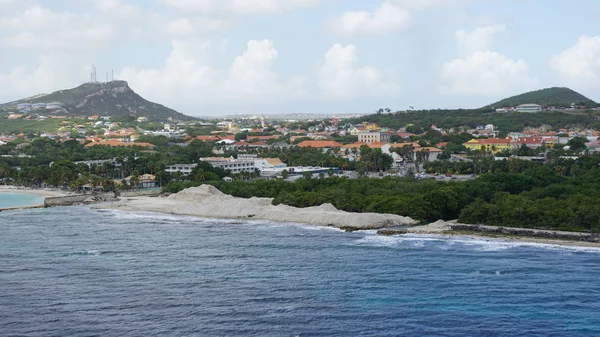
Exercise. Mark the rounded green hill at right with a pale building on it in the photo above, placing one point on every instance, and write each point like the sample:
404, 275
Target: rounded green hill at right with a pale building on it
559, 97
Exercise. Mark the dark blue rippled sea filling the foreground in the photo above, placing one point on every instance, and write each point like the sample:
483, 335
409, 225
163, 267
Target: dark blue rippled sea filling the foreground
80, 272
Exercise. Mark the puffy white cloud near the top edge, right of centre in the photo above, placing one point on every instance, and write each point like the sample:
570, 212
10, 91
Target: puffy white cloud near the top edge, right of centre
384, 19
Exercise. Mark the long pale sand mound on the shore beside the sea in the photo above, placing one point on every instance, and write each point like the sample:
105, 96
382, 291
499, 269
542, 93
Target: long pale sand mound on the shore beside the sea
207, 201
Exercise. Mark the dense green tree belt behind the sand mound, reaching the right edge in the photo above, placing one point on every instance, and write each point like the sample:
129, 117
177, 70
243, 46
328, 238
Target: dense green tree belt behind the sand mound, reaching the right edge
560, 195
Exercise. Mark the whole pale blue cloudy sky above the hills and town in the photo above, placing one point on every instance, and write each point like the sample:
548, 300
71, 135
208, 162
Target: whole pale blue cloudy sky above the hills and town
223, 57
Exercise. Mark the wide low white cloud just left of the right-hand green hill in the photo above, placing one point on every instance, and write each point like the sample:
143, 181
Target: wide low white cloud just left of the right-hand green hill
486, 73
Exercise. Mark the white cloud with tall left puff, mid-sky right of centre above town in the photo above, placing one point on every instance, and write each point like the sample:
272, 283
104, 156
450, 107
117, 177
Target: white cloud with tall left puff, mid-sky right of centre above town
340, 77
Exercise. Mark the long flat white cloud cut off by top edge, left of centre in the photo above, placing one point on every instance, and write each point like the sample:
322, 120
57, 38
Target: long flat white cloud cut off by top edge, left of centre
238, 7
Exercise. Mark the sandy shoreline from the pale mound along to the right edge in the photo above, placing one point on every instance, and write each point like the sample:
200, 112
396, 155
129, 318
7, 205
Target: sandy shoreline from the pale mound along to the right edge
208, 202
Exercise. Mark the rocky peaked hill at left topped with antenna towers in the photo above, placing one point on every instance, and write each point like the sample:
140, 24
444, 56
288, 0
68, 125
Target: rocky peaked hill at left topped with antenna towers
113, 98
